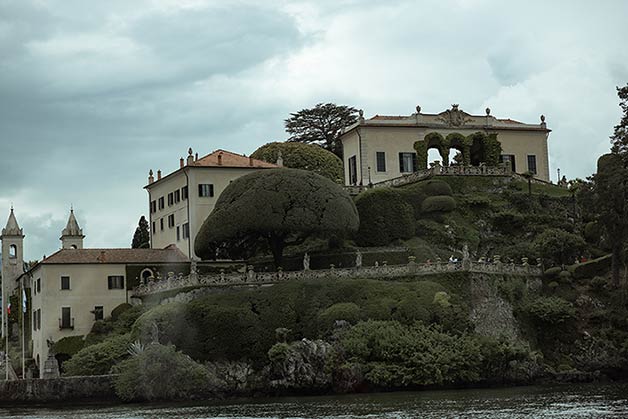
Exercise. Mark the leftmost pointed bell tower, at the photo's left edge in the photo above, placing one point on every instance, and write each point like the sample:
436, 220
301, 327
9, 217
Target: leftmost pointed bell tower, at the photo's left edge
12, 255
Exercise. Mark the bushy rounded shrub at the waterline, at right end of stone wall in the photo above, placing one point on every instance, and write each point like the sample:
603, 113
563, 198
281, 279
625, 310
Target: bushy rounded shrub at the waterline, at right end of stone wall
161, 373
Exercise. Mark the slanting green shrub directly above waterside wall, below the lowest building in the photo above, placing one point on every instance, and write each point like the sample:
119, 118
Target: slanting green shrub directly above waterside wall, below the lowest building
98, 359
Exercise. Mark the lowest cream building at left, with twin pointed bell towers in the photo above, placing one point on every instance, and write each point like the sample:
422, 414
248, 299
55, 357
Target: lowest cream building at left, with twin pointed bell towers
74, 287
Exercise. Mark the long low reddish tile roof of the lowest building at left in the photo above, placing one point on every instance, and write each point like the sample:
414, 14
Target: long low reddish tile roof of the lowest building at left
170, 254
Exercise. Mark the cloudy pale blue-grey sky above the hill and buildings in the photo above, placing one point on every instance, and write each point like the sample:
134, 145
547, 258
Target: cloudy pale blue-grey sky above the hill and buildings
93, 94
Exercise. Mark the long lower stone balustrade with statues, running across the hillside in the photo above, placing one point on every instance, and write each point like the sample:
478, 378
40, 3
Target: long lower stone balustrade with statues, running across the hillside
382, 272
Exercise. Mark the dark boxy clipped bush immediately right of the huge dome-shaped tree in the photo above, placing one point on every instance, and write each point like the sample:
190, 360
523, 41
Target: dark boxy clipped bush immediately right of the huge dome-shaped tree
384, 217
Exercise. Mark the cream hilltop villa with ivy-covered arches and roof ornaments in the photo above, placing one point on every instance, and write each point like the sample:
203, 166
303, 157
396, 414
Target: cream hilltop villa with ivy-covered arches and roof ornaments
383, 147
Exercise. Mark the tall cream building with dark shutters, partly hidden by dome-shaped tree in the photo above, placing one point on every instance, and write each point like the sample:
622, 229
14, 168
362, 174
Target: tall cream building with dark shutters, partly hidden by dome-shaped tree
180, 202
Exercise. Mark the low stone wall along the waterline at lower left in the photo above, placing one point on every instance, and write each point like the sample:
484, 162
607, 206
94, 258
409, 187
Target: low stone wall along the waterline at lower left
97, 388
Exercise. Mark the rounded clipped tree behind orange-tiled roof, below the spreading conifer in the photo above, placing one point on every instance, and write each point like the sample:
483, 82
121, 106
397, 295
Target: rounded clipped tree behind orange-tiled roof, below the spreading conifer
303, 156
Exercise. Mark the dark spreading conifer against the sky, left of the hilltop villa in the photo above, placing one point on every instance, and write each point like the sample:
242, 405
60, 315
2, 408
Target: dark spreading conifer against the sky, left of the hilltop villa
321, 125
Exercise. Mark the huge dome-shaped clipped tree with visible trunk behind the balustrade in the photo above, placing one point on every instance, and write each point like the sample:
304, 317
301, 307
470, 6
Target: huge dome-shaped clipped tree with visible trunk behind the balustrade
282, 206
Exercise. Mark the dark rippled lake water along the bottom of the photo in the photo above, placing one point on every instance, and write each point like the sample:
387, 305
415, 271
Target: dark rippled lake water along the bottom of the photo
564, 401
